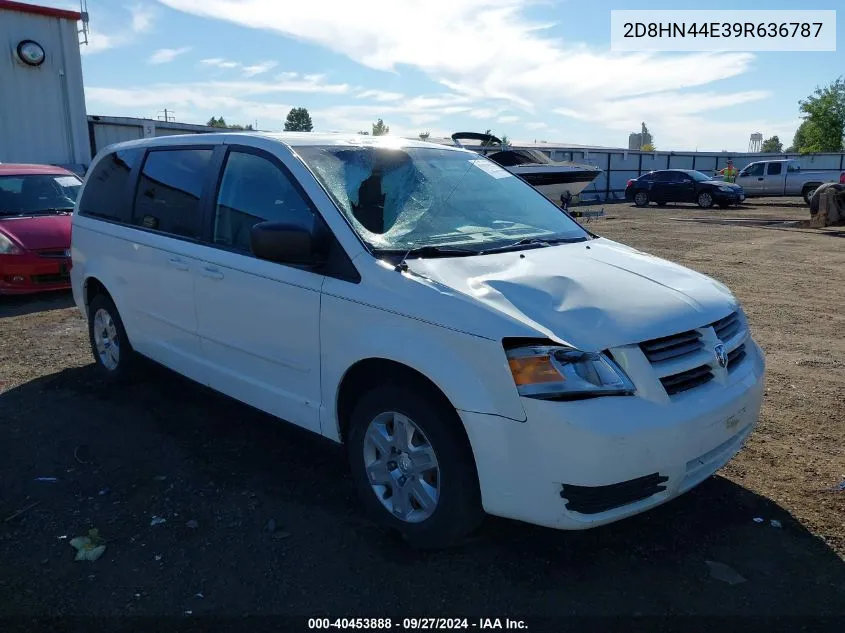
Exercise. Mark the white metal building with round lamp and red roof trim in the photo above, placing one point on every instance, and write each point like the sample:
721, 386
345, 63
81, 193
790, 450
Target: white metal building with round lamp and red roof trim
42, 99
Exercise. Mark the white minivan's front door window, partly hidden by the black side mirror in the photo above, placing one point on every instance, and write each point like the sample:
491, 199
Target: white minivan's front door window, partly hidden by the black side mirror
253, 190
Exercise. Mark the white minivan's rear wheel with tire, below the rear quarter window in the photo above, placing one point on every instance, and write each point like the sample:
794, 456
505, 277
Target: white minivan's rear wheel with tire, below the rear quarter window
115, 359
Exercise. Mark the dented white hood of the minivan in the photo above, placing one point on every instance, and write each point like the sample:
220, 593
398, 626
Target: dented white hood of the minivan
593, 295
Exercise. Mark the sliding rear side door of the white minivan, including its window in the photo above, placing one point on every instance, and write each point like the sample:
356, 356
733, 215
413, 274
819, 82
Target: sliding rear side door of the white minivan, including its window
157, 267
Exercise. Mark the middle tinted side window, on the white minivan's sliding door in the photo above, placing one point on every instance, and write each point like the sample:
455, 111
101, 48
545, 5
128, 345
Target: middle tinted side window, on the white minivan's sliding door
169, 189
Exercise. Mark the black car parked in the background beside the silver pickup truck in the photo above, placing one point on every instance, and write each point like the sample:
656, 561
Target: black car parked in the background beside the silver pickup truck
682, 185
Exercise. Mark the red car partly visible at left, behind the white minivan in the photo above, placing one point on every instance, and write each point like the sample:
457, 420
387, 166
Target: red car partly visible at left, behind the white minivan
36, 202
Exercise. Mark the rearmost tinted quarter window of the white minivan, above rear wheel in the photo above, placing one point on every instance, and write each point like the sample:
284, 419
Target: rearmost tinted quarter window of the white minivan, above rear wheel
105, 194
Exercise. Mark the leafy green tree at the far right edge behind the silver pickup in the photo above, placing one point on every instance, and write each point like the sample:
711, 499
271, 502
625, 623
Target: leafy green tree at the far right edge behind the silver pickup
825, 111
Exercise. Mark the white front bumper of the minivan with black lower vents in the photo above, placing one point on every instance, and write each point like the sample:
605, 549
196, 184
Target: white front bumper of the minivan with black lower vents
577, 465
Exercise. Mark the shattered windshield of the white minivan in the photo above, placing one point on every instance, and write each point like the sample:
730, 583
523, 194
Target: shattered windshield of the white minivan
410, 197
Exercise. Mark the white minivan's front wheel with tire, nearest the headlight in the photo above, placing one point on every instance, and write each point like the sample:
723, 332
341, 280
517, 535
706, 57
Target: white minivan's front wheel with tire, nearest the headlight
452, 484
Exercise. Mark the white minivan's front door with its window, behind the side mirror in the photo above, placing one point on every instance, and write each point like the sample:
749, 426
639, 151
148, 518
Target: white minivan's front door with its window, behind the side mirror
258, 320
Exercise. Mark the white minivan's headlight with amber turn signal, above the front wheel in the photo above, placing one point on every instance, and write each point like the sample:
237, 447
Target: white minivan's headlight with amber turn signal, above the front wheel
564, 373
